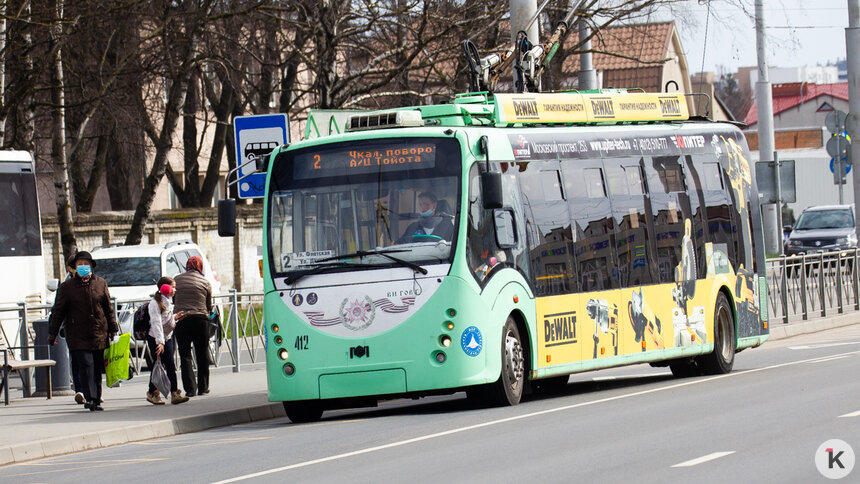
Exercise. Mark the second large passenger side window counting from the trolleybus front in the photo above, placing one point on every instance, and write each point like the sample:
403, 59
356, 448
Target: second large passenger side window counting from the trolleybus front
592, 225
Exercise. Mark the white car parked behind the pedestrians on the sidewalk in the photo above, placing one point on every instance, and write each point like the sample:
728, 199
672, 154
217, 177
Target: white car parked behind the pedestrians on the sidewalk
131, 272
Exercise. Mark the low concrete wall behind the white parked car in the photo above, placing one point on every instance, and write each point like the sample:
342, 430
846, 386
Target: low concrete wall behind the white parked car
234, 259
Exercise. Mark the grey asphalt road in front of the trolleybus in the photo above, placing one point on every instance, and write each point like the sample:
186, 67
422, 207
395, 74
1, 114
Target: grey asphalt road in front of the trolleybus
764, 422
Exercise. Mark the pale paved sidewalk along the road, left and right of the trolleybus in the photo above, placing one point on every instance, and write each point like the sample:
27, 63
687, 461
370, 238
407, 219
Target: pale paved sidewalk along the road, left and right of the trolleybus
32, 428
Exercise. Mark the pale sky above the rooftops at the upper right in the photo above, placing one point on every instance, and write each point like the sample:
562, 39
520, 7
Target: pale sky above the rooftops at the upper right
799, 32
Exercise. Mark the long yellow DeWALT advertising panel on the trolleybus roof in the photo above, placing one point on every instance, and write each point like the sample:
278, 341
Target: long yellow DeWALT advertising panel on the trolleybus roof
540, 108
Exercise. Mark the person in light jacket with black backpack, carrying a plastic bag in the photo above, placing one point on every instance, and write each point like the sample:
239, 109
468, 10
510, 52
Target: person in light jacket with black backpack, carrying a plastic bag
162, 321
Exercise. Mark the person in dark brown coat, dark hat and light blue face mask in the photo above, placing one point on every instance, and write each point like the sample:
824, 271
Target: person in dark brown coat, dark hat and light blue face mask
83, 302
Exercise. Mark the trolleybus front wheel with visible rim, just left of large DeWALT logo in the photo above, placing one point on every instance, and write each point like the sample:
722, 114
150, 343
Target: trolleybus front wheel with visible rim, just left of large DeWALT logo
508, 389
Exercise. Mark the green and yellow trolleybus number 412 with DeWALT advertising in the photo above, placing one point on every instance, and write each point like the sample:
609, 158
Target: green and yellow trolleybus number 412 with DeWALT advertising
499, 243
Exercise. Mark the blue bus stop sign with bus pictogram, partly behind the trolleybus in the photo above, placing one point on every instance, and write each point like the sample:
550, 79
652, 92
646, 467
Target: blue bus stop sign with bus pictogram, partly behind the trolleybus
256, 136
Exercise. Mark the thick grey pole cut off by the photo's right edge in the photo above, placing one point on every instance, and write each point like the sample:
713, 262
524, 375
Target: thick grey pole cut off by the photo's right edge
852, 45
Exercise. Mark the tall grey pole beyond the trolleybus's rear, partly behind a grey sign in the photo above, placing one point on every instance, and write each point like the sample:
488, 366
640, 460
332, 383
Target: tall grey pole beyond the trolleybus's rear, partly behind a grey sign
764, 111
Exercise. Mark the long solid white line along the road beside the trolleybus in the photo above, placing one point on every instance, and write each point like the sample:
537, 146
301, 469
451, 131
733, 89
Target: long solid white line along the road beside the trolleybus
515, 418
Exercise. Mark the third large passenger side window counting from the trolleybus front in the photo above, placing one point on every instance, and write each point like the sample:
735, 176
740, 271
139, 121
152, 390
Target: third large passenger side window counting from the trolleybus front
633, 232
